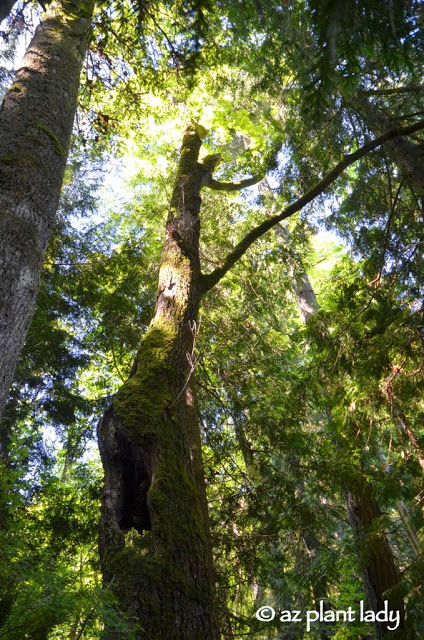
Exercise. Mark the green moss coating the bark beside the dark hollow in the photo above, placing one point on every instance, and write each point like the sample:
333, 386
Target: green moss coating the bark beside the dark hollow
146, 406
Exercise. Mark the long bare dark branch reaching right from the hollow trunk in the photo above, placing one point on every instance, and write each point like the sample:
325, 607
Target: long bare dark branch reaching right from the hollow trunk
208, 281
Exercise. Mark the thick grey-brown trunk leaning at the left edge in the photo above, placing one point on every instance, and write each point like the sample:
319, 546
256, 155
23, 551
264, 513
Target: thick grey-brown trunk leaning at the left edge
36, 119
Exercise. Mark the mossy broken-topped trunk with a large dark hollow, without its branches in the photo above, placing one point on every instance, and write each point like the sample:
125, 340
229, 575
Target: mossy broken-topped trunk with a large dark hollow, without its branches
149, 441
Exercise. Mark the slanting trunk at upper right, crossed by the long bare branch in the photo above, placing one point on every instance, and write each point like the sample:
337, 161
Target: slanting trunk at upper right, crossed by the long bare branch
407, 155
